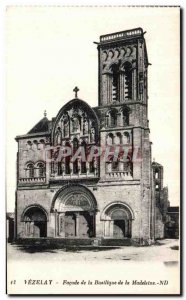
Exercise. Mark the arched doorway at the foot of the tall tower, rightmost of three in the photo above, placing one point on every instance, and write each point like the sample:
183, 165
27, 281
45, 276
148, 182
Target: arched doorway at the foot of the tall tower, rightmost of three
117, 219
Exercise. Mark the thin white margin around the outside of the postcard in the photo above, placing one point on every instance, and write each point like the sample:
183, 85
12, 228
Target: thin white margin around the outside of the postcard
3, 4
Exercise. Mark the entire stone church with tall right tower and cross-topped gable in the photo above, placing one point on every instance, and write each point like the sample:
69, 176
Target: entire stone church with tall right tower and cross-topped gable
87, 173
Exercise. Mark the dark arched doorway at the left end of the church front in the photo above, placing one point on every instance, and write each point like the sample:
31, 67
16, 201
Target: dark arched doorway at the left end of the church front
35, 221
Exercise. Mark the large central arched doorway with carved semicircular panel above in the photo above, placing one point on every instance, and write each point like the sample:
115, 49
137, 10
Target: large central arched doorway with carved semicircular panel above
75, 208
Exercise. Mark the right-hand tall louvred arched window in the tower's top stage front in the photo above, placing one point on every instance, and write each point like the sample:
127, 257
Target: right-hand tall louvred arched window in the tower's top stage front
128, 80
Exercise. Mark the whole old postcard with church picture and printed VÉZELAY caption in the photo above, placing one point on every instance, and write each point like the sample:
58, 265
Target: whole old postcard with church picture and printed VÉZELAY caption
93, 150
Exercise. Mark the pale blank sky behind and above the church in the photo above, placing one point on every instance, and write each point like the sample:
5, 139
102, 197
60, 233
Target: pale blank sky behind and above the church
50, 50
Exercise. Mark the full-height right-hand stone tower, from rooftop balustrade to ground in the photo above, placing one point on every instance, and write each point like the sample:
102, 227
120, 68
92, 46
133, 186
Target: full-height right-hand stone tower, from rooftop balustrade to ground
124, 126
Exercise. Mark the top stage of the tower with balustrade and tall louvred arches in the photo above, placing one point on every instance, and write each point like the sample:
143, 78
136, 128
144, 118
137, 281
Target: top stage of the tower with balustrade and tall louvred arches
123, 66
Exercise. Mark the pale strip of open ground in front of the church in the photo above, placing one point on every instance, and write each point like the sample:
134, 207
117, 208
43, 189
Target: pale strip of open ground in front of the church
163, 251
